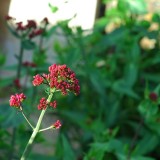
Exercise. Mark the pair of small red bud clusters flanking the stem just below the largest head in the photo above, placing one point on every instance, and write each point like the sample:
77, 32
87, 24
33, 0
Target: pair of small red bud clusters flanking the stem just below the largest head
43, 104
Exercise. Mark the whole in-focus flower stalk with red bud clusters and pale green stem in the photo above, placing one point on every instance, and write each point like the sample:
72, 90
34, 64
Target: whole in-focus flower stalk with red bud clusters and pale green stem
59, 79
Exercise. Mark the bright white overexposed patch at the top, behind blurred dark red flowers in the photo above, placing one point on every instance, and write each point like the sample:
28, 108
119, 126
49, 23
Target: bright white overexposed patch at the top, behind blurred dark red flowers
84, 10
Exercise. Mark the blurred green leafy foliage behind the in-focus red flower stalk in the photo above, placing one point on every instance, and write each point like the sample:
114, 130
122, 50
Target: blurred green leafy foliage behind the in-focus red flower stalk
116, 116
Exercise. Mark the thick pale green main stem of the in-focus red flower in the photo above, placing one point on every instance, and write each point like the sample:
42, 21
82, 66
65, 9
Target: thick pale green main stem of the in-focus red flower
35, 131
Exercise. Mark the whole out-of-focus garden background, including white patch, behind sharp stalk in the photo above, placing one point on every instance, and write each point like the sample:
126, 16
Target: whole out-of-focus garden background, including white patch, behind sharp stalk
113, 46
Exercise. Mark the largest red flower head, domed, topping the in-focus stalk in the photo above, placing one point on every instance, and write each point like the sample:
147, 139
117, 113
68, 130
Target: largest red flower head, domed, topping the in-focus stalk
61, 78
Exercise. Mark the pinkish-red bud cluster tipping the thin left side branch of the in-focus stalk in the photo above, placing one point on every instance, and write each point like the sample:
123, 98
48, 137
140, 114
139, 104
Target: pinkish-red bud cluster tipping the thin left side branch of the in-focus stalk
15, 100
